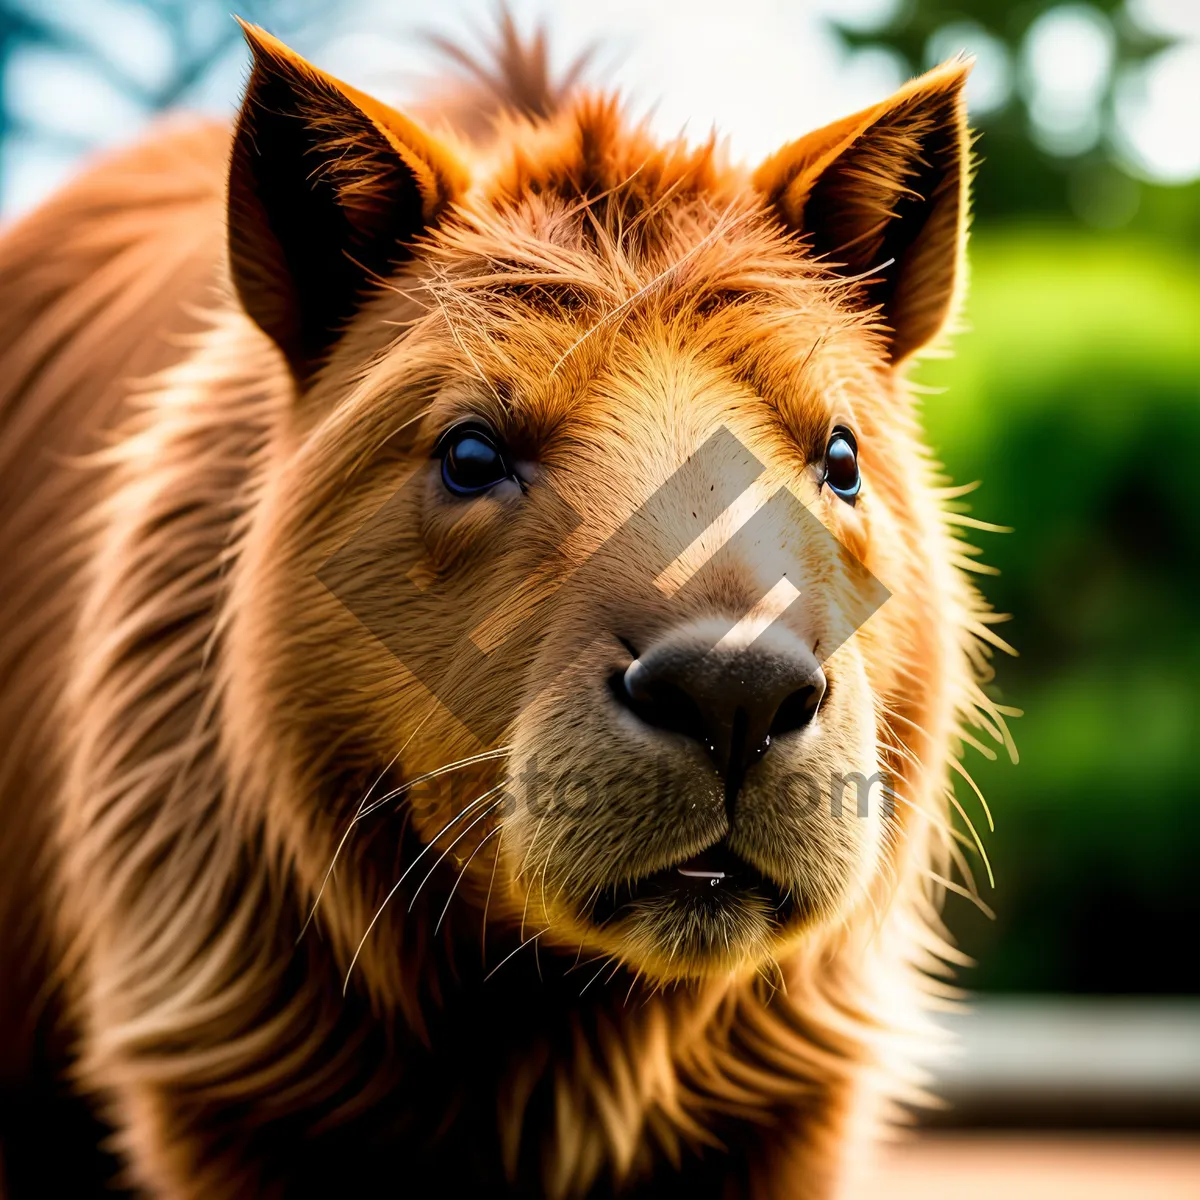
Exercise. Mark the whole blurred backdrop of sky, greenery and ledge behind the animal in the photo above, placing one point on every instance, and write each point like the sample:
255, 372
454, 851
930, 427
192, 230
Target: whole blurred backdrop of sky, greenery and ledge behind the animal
1075, 397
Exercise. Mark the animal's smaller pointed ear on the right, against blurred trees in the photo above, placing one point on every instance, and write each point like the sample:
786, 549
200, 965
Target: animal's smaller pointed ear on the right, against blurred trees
883, 196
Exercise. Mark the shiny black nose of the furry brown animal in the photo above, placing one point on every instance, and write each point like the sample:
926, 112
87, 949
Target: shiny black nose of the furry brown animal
731, 700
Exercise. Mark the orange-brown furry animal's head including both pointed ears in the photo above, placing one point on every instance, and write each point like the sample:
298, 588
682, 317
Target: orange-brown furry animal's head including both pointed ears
568, 572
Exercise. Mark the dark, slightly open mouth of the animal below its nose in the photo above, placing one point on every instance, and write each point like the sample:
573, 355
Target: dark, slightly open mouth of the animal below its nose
712, 881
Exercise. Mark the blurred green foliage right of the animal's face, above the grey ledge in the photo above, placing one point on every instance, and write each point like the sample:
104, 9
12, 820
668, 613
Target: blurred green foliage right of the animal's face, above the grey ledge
1077, 400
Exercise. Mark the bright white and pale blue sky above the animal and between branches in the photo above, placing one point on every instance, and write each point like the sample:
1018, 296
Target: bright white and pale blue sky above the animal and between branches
761, 73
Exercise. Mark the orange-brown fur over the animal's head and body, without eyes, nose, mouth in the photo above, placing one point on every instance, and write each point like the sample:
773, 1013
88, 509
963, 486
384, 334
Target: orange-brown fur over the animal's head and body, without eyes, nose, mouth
194, 722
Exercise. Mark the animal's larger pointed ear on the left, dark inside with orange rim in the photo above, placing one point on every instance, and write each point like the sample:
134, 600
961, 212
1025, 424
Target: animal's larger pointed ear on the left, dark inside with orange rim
328, 188
